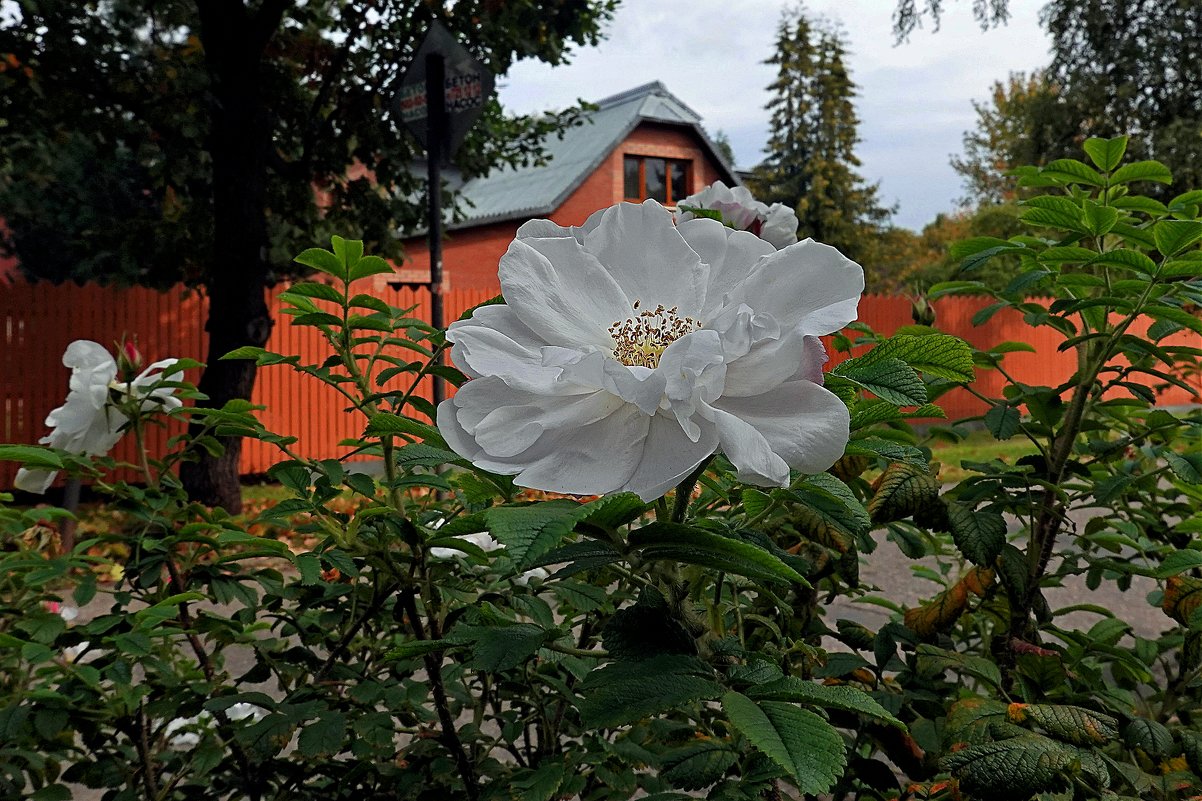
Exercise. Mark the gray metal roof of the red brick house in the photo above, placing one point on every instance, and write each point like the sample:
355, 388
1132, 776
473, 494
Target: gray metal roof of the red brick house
514, 193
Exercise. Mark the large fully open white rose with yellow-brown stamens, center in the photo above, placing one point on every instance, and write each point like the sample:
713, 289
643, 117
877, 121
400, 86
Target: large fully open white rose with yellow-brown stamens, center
629, 351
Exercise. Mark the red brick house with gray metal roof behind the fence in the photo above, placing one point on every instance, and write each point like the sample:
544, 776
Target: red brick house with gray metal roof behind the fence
640, 144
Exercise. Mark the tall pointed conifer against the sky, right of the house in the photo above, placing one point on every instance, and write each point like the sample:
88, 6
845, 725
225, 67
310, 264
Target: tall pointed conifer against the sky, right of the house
813, 134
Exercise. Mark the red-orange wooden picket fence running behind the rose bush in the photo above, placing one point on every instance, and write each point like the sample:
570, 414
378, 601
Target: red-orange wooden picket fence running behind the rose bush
39, 321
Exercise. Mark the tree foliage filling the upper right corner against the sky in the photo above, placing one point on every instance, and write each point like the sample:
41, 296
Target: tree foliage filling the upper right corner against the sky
1118, 68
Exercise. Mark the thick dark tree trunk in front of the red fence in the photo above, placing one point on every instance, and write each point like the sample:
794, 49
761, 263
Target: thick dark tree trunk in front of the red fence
240, 141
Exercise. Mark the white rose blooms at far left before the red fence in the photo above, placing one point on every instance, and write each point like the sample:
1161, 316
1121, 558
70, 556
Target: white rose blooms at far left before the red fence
90, 423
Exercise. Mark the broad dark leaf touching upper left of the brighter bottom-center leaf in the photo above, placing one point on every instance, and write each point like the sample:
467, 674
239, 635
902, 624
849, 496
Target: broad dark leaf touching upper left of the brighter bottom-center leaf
627, 692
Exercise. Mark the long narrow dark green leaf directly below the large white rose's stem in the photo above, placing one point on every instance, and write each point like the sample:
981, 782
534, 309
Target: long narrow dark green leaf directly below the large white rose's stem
689, 545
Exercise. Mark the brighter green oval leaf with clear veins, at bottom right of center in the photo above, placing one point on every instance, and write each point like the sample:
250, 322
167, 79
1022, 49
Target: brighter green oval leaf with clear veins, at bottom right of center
801, 743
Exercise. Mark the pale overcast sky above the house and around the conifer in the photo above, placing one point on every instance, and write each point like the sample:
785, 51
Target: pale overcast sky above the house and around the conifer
915, 99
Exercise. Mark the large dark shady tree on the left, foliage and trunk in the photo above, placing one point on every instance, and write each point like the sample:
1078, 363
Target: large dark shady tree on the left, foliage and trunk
207, 141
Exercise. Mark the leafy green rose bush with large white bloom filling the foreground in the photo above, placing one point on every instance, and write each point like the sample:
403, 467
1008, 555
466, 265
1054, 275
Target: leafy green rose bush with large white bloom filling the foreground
449, 637
